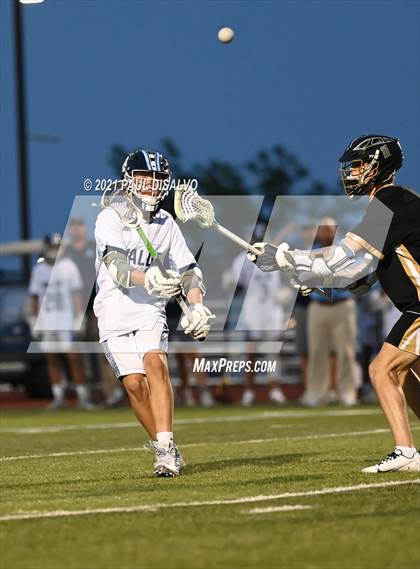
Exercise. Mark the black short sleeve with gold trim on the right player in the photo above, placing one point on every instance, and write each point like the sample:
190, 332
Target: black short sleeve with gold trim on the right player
382, 229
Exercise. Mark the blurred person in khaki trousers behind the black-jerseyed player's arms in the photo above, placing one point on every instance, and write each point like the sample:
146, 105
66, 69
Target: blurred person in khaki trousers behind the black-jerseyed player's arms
331, 329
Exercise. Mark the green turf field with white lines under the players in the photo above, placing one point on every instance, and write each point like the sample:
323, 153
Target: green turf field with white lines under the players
232, 508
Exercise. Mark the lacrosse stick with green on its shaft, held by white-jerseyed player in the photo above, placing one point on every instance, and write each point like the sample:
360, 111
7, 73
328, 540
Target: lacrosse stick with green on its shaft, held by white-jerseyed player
131, 217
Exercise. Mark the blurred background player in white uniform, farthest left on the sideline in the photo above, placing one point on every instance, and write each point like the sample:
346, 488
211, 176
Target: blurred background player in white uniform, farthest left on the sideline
56, 309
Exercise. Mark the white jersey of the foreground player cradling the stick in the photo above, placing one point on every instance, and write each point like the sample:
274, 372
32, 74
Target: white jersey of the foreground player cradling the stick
119, 310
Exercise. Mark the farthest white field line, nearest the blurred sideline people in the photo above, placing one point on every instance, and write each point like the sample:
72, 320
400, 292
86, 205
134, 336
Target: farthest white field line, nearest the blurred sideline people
196, 420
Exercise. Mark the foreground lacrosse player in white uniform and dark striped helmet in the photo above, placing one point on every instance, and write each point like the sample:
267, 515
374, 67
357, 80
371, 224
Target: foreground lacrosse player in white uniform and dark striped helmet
131, 295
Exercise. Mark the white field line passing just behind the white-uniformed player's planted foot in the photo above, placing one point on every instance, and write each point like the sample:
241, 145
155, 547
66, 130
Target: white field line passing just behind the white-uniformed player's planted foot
191, 445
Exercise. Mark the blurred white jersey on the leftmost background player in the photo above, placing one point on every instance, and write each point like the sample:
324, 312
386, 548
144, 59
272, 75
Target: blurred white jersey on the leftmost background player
55, 285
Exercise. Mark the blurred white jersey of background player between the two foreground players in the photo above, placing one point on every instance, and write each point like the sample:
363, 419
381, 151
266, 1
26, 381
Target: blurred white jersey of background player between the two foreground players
260, 311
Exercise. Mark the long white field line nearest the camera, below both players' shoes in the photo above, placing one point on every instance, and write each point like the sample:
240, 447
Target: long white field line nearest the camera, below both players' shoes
245, 500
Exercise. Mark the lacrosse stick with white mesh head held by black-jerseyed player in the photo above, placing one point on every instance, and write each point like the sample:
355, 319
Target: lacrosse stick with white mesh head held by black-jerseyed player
189, 205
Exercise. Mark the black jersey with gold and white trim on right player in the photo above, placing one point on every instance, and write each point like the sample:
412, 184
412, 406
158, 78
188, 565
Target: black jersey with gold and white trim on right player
390, 230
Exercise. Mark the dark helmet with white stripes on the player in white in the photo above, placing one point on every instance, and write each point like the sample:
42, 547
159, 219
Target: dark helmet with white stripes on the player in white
147, 162
